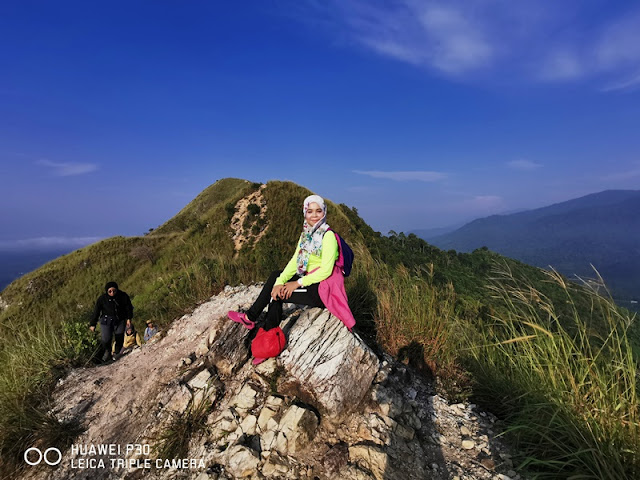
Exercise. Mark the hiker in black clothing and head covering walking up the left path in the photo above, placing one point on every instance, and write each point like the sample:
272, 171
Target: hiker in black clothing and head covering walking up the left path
113, 309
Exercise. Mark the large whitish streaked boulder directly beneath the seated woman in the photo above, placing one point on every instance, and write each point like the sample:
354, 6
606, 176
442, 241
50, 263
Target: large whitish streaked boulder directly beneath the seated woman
328, 366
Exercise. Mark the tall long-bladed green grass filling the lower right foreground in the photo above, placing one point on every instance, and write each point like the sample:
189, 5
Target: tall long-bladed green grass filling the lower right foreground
569, 394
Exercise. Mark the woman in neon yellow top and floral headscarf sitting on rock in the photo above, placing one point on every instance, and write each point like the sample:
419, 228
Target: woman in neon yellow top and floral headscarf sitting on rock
310, 278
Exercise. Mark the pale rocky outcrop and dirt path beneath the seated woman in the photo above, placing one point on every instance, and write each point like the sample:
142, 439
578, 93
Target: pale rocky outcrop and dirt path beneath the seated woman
327, 408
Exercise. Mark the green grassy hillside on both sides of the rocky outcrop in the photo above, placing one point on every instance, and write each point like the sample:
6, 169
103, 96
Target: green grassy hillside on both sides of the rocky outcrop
459, 316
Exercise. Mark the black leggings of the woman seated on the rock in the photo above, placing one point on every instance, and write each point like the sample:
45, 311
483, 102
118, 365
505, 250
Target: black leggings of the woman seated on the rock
274, 315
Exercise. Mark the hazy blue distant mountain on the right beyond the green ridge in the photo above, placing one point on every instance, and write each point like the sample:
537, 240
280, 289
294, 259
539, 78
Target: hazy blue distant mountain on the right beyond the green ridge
601, 229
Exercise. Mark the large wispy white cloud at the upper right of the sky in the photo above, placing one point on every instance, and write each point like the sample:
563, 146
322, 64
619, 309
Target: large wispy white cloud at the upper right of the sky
535, 40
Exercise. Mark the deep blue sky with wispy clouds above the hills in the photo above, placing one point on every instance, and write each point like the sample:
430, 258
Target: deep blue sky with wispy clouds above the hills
114, 115
